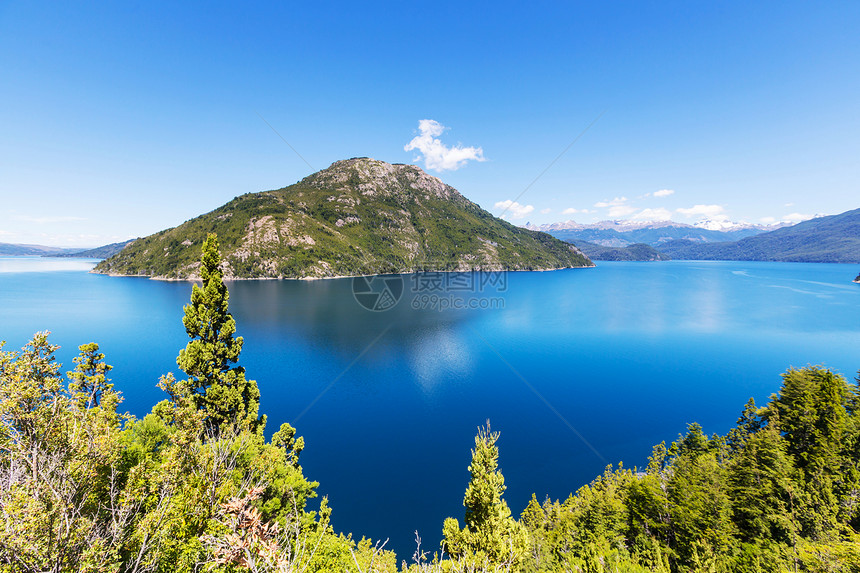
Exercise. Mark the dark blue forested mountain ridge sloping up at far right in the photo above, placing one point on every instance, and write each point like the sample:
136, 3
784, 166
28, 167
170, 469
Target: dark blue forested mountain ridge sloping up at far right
833, 239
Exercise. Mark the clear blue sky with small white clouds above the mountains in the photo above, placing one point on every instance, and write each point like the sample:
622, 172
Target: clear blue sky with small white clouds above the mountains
121, 119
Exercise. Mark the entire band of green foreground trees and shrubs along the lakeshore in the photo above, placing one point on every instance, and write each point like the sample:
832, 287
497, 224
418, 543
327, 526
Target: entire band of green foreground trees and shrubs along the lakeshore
194, 485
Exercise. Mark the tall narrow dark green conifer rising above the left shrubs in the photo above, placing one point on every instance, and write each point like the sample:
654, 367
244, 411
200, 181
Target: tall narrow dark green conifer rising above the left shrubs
219, 389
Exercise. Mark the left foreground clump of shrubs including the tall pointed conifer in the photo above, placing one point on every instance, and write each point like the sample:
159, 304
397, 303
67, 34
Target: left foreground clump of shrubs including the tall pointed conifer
192, 486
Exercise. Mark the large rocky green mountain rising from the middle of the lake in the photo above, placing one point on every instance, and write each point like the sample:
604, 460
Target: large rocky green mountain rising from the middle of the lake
359, 216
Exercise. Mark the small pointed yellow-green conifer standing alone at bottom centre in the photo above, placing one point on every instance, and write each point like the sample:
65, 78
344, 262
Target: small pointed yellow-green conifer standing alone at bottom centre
491, 534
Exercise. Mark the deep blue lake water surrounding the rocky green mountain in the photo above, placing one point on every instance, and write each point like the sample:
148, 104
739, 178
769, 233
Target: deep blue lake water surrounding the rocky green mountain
576, 368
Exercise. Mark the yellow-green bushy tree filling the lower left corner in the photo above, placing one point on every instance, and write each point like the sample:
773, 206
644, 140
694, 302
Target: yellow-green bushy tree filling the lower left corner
60, 458
